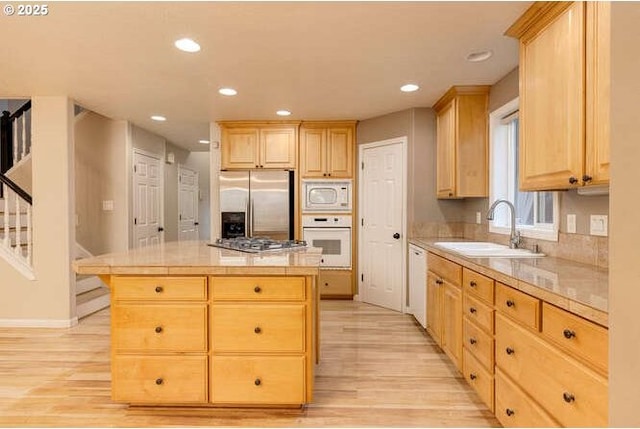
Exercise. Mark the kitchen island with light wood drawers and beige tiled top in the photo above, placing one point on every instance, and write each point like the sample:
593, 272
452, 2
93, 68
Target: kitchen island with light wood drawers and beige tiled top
195, 325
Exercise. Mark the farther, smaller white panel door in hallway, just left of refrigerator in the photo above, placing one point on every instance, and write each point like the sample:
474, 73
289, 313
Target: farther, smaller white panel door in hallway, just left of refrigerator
187, 204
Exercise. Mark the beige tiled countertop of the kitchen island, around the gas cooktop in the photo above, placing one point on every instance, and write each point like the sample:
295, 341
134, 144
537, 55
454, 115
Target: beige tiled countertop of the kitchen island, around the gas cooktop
197, 258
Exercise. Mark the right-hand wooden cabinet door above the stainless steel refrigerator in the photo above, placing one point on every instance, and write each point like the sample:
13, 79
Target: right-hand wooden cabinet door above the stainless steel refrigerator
278, 147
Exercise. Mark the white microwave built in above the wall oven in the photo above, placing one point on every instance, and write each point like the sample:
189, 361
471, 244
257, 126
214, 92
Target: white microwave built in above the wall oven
326, 195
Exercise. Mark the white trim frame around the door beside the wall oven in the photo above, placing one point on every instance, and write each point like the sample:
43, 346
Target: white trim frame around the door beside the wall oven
404, 242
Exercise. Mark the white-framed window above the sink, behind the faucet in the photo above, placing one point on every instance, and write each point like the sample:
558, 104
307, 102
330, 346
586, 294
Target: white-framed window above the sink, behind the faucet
536, 212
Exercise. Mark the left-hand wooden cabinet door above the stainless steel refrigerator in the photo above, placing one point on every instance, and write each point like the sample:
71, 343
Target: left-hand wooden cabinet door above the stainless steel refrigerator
239, 148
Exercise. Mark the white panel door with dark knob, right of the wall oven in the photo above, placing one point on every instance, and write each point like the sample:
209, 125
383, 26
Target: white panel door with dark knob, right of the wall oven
382, 202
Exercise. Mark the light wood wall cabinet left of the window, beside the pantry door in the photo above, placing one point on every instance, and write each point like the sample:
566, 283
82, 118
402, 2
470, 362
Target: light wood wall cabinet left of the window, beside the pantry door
461, 139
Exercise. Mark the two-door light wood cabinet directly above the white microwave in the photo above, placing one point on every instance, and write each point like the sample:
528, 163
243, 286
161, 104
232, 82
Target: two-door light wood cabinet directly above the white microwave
326, 149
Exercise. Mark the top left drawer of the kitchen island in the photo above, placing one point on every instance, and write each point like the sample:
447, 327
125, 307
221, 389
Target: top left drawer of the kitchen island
159, 288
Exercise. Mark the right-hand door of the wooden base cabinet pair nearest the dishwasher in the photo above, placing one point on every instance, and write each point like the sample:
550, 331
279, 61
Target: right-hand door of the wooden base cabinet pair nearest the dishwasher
452, 323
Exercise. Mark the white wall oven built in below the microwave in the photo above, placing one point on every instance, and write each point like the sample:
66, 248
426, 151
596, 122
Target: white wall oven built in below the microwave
333, 235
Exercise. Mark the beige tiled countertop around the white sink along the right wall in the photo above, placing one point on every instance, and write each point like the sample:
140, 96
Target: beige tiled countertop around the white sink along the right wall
579, 288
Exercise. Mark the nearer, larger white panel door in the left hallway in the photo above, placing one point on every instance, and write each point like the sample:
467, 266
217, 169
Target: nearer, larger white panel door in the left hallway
147, 200
